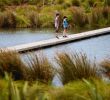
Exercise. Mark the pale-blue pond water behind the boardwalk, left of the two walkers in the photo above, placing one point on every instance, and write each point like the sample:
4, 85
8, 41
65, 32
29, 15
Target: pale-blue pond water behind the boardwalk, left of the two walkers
22, 36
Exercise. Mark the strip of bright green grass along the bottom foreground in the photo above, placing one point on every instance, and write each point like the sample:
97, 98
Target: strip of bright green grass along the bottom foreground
77, 90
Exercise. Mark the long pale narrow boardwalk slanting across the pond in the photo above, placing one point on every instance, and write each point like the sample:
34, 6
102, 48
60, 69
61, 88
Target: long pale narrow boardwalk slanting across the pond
54, 41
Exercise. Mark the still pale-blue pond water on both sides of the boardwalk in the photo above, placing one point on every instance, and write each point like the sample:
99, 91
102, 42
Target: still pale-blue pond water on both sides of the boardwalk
96, 48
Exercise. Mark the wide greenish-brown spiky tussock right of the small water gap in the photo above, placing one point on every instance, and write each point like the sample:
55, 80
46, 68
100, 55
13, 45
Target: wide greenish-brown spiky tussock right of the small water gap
74, 67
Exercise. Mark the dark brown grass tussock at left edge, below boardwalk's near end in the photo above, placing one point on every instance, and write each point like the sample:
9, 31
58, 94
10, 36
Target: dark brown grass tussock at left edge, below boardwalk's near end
11, 63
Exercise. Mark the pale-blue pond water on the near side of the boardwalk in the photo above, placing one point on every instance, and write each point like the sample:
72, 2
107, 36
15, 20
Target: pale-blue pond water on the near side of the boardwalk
96, 49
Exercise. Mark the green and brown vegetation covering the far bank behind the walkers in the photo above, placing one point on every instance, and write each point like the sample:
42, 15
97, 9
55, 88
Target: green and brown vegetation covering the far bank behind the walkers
82, 14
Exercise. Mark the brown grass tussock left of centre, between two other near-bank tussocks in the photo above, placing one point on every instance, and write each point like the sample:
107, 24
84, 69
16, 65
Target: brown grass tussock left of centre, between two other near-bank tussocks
40, 68
